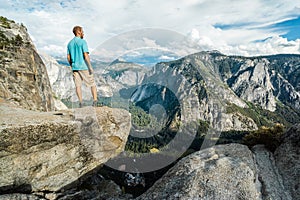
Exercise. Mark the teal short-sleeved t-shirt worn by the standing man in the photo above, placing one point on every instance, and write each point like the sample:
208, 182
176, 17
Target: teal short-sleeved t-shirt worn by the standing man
76, 48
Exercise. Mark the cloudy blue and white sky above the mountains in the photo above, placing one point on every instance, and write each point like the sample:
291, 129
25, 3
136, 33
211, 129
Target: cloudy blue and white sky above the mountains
233, 27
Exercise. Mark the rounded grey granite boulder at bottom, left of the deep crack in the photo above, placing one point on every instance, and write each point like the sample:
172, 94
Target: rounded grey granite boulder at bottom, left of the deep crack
220, 172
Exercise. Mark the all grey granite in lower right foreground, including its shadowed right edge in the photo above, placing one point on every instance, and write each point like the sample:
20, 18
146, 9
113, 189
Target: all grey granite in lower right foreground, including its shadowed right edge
234, 172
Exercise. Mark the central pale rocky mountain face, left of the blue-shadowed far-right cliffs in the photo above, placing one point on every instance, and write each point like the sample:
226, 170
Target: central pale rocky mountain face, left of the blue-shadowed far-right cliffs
201, 94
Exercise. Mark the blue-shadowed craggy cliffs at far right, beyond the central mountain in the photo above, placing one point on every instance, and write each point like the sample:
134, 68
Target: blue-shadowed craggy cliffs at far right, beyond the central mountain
263, 80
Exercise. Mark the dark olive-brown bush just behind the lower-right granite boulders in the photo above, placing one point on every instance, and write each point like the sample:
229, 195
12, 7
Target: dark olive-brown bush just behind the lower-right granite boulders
269, 136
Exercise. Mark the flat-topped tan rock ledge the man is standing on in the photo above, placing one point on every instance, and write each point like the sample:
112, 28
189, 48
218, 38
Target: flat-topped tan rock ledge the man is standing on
51, 151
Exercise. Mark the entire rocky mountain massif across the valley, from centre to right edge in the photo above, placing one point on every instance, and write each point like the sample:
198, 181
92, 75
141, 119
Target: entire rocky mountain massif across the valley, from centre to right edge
228, 92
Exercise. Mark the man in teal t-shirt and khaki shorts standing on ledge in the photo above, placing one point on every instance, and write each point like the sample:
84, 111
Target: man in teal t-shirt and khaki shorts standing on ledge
79, 60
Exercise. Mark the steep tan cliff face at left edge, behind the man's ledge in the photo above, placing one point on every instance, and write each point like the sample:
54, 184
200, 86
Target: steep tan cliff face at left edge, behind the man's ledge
24, 79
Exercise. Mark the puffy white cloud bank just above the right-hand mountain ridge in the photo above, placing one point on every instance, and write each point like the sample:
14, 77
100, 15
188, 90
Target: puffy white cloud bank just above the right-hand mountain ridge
230, 42
